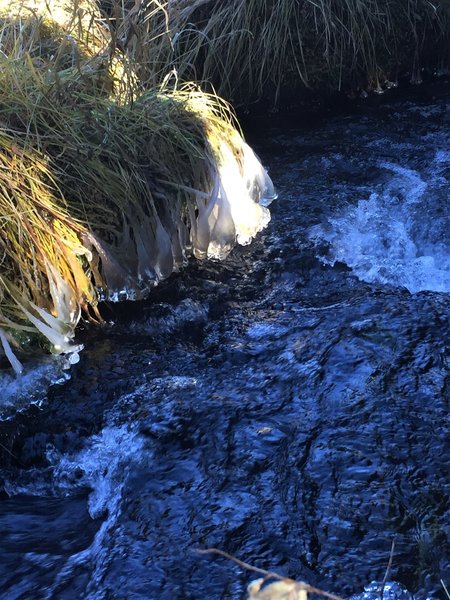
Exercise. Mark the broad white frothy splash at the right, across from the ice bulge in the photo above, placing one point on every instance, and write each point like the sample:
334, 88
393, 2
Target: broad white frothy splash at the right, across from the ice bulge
398, 236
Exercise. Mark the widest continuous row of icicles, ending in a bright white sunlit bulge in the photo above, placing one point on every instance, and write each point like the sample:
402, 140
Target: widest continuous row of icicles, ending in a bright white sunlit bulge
160, 239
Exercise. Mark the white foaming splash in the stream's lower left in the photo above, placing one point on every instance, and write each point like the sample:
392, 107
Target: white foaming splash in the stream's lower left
103, 465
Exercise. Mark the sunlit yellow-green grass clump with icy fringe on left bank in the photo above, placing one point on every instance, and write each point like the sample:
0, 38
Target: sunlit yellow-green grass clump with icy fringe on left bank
105, 189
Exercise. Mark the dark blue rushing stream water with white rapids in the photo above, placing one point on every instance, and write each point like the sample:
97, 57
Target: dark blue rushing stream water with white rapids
288, 406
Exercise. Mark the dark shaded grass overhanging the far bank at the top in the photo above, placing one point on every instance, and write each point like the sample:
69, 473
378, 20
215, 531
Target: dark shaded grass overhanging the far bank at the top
253, 49
